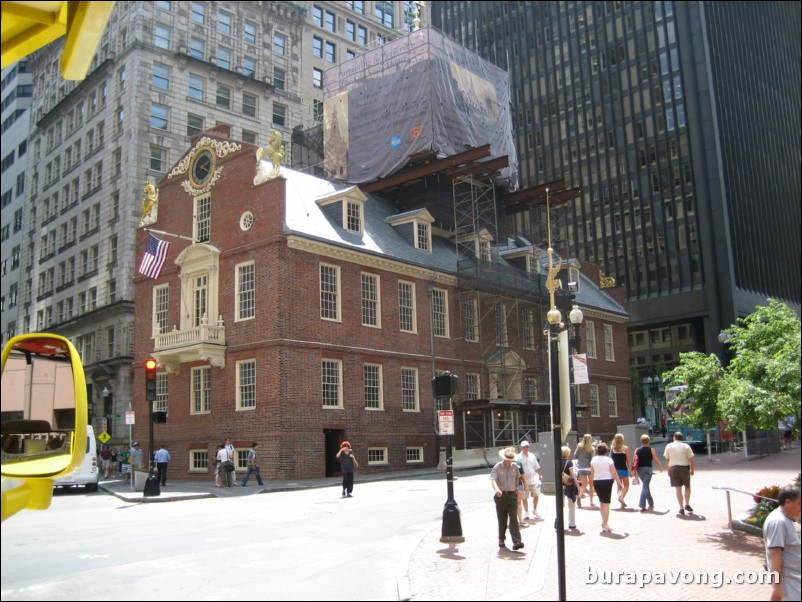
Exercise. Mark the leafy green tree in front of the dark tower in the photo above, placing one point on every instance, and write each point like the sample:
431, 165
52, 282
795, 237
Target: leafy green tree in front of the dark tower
761, 384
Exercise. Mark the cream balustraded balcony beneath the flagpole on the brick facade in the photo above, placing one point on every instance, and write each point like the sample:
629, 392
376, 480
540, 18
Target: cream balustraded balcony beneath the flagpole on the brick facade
204, 343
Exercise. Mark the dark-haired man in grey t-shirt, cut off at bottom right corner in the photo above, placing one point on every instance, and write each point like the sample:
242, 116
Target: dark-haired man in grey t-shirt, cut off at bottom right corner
783, 553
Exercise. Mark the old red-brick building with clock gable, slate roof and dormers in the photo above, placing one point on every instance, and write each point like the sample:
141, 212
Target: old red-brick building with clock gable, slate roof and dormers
296, 312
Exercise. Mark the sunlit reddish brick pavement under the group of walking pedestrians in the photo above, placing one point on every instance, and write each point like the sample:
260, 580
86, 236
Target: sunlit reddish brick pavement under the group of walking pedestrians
657, 541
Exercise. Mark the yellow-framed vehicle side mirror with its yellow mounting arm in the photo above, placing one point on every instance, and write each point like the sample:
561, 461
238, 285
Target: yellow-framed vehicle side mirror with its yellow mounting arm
43, 413
